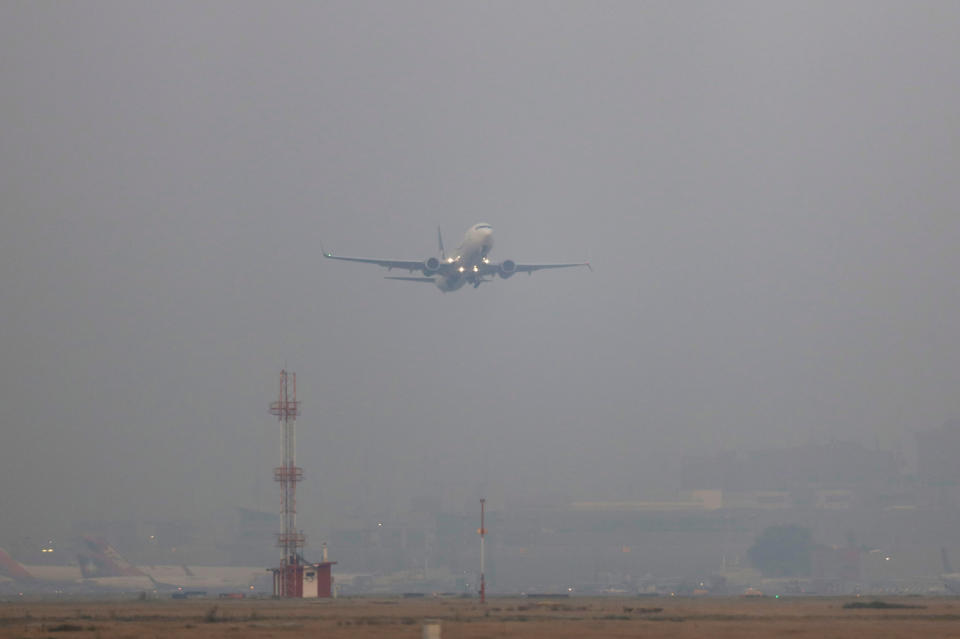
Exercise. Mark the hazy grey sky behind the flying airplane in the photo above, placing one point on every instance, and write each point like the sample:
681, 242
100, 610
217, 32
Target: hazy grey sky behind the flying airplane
767, 190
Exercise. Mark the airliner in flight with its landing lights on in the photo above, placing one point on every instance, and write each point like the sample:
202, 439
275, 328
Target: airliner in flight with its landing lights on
468, 264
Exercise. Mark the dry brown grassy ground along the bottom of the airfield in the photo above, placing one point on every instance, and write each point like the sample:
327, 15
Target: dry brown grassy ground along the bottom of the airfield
500, 617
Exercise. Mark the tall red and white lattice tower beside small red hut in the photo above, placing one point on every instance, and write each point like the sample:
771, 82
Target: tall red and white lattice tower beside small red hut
288, 578
